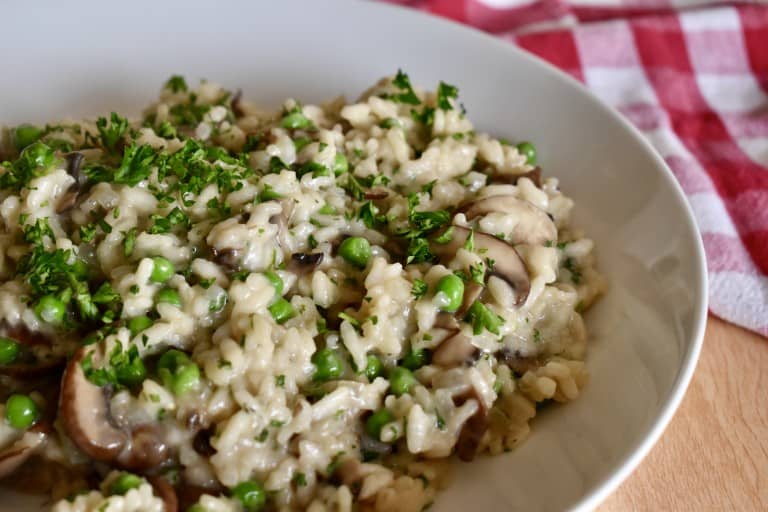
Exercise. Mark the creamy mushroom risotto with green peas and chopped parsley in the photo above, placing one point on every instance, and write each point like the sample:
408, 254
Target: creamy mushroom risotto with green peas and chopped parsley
214, 308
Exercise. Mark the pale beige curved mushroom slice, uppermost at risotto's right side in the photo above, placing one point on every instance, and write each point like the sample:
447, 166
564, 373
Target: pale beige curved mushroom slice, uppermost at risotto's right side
534, 226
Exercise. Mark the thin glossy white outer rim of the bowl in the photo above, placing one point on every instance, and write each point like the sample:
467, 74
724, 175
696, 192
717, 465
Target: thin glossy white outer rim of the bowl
637, 452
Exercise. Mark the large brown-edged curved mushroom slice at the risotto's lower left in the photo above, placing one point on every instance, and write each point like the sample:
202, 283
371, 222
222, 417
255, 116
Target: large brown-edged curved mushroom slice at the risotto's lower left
84, 413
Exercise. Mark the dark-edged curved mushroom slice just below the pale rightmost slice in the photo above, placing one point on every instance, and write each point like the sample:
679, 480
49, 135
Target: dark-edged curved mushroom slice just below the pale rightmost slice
507, 264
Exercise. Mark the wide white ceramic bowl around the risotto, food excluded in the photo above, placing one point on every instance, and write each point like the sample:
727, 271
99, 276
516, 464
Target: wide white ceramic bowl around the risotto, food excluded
80, 58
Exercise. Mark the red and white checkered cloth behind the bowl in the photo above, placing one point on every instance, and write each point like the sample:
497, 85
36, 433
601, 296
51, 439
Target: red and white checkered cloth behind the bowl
694, 79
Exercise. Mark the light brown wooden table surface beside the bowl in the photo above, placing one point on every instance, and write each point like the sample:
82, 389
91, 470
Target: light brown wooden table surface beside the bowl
714, 454
